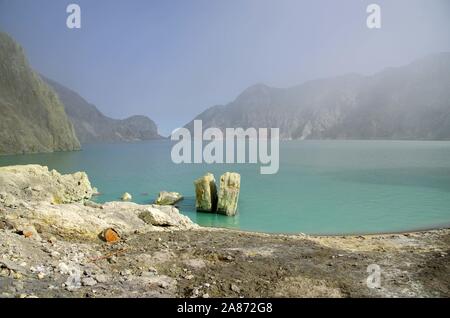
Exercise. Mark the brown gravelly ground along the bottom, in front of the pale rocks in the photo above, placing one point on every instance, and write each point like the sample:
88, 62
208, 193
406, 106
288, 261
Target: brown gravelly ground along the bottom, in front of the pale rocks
224, 263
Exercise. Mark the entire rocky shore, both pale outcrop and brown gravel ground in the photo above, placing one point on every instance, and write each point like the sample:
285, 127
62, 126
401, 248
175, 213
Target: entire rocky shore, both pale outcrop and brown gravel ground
52, 244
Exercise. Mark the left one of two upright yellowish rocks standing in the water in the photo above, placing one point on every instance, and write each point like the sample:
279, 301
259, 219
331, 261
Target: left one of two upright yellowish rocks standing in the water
206, 193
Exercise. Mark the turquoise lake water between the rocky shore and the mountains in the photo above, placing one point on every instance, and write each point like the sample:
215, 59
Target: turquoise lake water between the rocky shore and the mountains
322, 187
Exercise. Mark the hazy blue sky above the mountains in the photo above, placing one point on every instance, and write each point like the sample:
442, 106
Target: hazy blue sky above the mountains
172, 59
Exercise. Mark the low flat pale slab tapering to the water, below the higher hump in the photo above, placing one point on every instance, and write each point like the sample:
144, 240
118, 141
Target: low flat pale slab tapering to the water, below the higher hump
75, 220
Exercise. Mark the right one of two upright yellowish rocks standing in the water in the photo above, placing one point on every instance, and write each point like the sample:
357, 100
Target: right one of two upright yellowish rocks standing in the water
230, 184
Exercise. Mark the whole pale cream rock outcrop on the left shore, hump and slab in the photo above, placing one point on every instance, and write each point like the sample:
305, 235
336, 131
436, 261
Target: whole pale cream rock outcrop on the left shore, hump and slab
74, 219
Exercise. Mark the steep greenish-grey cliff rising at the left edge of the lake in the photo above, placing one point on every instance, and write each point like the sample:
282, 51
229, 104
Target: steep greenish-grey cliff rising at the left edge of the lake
32, 119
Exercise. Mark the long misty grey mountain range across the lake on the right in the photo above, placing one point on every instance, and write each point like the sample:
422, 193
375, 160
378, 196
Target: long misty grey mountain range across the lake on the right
409, 102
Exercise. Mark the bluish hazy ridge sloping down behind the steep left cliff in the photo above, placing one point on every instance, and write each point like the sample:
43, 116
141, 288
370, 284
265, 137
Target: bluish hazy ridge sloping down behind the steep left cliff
92, 126
